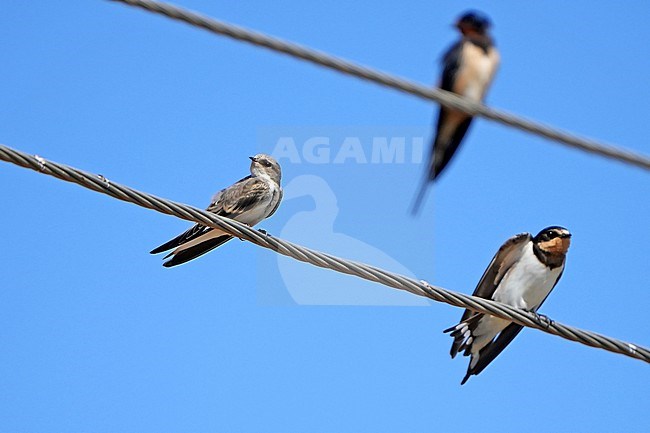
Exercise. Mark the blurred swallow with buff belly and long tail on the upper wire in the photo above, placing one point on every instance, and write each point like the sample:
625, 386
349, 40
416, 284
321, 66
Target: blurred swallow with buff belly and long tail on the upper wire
468, 69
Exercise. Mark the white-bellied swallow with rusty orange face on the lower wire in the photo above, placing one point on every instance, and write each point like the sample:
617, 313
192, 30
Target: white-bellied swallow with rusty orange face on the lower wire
522, 274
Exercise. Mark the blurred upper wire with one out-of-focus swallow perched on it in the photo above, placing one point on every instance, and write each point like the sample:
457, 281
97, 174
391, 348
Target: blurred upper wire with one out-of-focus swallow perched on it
441, 96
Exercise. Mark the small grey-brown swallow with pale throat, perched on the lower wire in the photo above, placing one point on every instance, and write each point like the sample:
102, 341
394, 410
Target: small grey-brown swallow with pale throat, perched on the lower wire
250, 200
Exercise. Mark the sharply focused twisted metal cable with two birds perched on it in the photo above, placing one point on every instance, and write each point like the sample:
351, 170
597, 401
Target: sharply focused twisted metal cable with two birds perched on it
101, 184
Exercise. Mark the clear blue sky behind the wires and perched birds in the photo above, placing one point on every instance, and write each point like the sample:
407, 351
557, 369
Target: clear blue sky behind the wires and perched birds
98, 336
